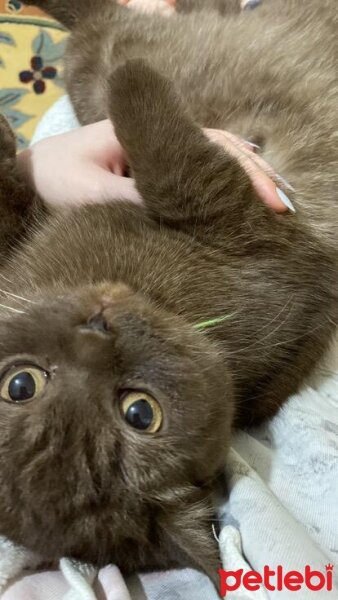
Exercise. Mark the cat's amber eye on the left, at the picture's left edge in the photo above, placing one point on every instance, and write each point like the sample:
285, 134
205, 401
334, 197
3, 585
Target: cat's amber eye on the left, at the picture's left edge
23, 383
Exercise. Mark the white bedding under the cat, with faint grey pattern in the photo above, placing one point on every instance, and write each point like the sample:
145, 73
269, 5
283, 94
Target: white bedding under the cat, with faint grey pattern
282, 509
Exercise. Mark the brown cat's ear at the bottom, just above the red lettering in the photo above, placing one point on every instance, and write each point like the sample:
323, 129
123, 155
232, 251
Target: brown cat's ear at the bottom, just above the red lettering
189, 541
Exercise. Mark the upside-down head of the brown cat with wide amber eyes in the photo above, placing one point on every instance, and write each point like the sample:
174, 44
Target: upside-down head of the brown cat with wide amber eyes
115, 417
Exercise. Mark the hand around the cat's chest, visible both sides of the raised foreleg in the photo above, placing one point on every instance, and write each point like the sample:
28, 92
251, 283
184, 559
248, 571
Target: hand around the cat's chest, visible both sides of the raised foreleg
87, 165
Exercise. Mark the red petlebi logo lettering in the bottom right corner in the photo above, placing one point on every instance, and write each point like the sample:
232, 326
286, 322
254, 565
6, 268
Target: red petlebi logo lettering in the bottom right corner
276, 580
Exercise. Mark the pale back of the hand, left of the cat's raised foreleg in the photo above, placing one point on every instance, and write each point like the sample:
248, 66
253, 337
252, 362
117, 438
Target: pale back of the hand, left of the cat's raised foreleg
86, 165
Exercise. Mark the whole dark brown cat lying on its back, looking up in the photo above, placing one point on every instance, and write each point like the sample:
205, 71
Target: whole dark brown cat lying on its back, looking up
134, 340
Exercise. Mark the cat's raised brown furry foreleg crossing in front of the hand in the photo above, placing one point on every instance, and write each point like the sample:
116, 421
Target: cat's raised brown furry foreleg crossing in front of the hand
180, 174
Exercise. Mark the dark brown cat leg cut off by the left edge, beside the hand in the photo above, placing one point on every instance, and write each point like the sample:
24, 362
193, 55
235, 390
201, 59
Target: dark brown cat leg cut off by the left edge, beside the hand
18, 203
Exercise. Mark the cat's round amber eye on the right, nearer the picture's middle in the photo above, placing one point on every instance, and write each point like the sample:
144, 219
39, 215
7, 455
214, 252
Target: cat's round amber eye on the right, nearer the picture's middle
141, 411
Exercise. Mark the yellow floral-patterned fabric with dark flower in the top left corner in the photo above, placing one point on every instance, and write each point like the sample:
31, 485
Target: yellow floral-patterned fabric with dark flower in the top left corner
31, 71
